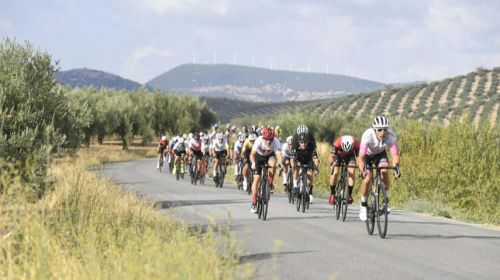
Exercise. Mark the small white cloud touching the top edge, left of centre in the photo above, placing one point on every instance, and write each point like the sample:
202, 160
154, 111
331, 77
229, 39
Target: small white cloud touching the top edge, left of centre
163, 7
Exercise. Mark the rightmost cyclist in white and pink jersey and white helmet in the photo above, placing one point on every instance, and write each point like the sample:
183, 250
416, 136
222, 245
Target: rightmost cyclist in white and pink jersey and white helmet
372, 149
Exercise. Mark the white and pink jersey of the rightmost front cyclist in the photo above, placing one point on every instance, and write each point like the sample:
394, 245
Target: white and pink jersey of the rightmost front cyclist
370, 145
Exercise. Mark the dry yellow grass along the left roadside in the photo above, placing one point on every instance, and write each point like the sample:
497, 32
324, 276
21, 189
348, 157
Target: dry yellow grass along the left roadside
88, 228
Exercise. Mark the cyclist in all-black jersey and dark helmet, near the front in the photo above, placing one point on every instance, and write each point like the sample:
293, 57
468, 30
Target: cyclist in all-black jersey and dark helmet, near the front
303, 151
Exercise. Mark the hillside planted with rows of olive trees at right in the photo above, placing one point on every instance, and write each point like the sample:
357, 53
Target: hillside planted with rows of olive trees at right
478, 92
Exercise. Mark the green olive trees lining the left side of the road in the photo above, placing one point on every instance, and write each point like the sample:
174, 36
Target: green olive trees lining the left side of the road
40, 118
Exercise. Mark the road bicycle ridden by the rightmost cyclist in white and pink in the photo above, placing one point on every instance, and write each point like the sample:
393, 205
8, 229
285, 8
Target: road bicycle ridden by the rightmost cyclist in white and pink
377, 203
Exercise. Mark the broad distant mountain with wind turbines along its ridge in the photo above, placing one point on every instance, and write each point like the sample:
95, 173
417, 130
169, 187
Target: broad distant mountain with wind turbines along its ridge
257, 84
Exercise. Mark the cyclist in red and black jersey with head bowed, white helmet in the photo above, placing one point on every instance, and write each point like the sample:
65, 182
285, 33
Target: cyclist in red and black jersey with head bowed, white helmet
345, 148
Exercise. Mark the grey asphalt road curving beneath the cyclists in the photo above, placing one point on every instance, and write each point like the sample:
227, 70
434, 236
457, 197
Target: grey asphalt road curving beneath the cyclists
313, 245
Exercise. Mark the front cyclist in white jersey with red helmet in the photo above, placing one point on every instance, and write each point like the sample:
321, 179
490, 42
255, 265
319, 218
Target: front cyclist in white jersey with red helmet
265, 149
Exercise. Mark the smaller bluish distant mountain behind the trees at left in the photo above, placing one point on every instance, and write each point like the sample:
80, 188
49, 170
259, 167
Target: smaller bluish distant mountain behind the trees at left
88, 77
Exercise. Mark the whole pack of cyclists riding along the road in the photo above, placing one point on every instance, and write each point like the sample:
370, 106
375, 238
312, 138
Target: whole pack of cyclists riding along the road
260, 147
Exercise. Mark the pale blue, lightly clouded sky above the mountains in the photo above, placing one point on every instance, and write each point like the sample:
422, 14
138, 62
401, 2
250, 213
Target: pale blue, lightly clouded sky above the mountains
389, 41
